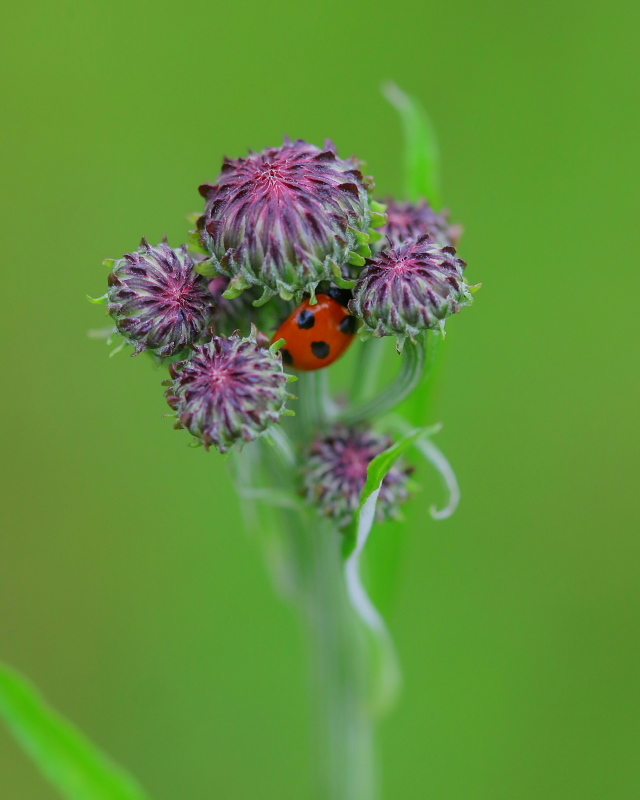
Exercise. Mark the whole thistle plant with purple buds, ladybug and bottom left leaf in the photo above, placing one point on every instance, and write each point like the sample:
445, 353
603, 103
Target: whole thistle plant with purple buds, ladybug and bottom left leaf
292, 261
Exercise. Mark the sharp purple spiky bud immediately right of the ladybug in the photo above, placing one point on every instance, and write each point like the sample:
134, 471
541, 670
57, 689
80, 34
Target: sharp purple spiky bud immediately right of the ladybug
409, 288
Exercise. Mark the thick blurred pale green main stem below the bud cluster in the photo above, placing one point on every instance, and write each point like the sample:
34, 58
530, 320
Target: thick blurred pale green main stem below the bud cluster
341, 653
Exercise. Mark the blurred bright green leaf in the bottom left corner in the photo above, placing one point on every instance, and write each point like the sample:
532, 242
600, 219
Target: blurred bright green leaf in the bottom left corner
73, 765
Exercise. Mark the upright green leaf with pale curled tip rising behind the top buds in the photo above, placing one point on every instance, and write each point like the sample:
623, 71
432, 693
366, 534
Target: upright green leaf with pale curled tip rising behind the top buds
422, 157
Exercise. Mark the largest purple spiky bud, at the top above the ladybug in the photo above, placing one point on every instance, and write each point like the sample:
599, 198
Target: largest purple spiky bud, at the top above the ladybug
286, 218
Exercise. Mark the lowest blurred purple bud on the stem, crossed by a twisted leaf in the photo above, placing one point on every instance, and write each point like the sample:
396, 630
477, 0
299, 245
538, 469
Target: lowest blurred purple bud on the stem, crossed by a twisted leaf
336, 472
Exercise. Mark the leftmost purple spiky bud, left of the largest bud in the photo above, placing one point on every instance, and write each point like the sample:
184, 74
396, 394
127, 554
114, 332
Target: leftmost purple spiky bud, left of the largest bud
157, 300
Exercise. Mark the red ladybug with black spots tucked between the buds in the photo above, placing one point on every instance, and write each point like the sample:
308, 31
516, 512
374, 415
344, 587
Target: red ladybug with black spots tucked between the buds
317, 335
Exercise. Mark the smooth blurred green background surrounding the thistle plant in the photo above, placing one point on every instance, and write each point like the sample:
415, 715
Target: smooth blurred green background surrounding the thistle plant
128, 591
